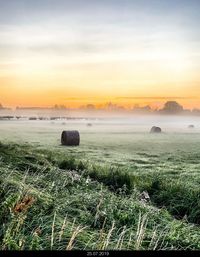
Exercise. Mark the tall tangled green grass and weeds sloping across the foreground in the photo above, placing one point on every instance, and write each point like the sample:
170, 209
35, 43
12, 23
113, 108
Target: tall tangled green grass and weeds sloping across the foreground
53, 201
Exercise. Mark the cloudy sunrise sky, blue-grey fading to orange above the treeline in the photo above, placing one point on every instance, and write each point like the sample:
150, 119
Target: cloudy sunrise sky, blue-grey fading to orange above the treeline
96, 51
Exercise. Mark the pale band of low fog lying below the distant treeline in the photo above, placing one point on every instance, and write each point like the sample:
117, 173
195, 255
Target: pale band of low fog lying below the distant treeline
98, 122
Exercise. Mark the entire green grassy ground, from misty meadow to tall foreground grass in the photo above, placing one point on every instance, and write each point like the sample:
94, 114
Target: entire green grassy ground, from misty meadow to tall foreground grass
92, 196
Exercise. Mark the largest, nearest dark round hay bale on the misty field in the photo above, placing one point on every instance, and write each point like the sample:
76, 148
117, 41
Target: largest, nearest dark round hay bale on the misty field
70, 137
